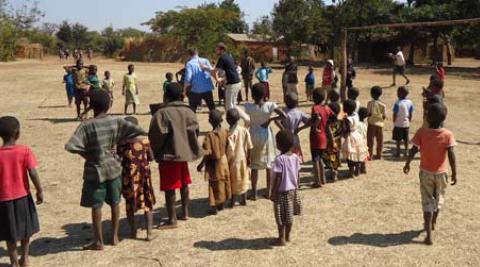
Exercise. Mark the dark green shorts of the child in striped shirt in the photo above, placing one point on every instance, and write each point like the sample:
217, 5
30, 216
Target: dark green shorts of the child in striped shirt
94, 194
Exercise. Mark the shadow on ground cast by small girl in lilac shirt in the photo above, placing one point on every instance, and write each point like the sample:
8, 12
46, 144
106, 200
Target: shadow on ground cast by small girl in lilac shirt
236, 244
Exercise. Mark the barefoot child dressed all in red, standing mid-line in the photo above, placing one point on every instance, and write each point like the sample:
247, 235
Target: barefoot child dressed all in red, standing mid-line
319, 135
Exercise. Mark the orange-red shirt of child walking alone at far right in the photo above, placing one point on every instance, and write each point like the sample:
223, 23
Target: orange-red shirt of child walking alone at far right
433, 145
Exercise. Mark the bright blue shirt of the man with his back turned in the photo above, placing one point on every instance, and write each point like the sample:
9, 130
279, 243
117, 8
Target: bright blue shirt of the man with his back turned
199, 79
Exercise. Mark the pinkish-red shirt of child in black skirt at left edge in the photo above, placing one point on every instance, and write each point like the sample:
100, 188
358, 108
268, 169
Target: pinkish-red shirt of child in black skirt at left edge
15, 161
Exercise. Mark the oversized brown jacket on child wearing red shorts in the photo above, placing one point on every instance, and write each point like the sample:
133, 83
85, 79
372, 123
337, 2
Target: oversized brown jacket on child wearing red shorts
173, 133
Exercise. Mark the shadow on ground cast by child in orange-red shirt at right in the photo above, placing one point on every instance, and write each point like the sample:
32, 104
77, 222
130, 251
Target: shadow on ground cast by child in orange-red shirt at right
377, 240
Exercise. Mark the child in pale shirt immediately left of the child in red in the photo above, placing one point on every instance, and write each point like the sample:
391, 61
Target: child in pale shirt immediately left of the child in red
294, 118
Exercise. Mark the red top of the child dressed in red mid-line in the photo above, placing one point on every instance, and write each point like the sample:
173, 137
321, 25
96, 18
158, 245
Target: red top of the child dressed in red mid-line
318, 140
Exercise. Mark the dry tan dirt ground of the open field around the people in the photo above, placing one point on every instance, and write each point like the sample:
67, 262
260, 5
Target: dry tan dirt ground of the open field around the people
374, 220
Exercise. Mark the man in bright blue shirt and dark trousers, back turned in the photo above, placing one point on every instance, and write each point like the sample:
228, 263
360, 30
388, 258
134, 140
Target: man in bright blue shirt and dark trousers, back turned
198, 79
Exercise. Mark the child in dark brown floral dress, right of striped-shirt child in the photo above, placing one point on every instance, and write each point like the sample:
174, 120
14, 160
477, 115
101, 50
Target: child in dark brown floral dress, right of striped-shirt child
137, 186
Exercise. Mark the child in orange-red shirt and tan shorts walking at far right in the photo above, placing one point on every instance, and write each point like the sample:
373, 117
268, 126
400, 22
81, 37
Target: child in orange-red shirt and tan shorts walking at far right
434, 144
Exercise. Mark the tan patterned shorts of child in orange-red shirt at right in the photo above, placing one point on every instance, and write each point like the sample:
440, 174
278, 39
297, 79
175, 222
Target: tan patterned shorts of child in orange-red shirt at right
432, 189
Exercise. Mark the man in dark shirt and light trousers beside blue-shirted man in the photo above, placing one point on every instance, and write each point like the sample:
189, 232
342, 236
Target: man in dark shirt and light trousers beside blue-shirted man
232, 80
